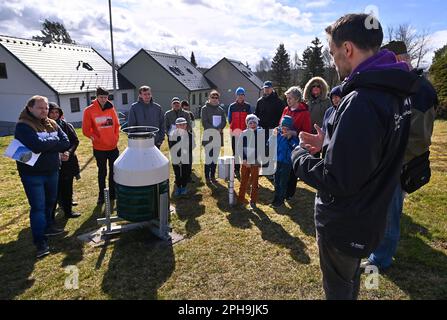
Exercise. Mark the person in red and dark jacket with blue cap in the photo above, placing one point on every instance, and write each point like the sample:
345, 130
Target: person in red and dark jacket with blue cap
237, 112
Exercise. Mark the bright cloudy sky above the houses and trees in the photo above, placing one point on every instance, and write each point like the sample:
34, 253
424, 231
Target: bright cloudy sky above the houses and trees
243, 30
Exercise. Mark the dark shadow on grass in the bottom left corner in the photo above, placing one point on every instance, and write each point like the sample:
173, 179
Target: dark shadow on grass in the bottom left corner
17, 259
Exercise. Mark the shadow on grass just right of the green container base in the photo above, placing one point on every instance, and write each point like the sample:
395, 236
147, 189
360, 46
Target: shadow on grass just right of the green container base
188, 208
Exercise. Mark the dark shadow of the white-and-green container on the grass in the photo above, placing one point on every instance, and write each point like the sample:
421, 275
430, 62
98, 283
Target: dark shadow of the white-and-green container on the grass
139, 266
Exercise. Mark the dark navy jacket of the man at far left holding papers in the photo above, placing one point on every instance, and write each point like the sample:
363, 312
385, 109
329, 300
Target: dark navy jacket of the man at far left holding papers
44, 137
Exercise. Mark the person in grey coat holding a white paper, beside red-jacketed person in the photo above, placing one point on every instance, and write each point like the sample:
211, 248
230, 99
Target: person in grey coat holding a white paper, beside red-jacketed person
213, 117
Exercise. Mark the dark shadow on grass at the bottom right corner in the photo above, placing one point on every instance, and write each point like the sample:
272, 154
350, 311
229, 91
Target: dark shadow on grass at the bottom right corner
419, 270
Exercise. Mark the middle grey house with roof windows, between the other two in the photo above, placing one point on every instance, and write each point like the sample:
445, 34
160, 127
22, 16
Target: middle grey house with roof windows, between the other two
169, 76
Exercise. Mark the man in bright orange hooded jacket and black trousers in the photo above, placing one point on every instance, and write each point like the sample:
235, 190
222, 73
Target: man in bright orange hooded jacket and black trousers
100, 124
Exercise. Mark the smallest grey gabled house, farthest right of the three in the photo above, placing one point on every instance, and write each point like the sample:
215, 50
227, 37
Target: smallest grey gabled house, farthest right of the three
227, 75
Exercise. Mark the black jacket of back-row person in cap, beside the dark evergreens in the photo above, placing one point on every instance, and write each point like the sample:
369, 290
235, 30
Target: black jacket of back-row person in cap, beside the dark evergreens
269, 110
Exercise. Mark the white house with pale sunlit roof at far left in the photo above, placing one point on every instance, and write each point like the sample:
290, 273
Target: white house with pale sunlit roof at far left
66, 74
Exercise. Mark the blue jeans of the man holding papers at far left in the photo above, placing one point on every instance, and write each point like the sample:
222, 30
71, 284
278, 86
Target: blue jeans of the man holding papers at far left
41, 192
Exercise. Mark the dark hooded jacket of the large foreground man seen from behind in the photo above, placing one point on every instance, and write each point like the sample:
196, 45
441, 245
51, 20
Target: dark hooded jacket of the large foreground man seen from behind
364, 148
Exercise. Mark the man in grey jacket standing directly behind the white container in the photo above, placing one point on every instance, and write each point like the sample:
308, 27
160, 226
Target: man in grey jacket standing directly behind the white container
145, 112
